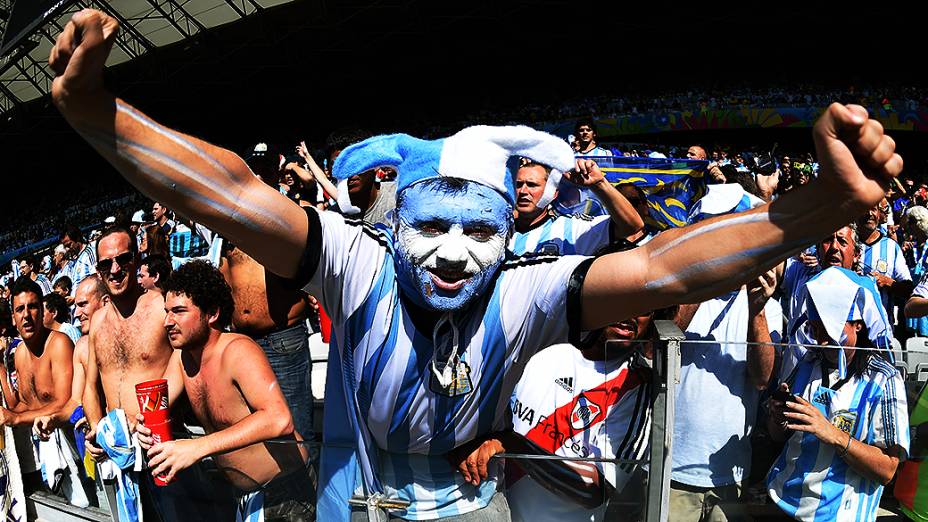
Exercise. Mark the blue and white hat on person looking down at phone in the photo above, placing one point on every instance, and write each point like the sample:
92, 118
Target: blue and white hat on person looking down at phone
837, 295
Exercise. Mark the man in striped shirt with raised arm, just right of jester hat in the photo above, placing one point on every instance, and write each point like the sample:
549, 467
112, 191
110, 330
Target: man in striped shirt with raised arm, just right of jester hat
537, 229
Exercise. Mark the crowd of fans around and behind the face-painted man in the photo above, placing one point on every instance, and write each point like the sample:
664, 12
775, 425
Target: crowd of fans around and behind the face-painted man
765, 398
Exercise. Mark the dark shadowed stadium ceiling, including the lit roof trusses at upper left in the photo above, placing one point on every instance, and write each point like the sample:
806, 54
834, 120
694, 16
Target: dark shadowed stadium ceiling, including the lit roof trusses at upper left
236, 71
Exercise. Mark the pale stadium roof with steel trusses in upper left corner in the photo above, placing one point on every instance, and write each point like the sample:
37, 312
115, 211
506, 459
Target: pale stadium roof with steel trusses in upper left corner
147, 25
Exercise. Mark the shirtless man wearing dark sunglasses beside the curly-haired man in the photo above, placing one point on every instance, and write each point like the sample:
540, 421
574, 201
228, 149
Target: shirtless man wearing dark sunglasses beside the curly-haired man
127, 344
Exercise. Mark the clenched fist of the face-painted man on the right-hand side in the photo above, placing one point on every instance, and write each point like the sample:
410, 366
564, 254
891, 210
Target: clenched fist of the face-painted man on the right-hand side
857, 160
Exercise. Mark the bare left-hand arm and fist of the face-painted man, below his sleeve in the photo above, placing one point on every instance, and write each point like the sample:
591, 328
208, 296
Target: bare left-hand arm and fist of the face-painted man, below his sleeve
209, 184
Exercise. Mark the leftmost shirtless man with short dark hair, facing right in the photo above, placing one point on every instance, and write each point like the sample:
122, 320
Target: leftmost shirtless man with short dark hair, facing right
40, 381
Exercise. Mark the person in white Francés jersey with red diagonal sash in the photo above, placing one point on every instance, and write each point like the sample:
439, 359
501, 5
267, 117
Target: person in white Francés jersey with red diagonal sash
575, 402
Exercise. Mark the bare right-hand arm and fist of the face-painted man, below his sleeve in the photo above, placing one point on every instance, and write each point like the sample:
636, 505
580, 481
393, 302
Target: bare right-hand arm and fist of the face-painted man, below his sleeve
695, 263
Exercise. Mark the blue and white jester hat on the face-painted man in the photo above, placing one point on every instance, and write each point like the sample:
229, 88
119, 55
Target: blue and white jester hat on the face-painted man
479, 154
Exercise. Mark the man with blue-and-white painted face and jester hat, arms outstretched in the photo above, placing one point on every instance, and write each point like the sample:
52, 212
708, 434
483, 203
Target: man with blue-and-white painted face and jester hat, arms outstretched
432, 322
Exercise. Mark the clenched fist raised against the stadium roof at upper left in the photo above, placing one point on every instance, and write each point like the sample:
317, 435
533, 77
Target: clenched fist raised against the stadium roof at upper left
79, 55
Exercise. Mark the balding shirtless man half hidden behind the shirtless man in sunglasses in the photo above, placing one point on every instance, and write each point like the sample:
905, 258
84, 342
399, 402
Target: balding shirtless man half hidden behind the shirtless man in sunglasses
89, 297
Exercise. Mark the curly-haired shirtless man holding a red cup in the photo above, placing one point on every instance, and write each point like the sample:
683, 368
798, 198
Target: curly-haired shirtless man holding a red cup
234, 394
